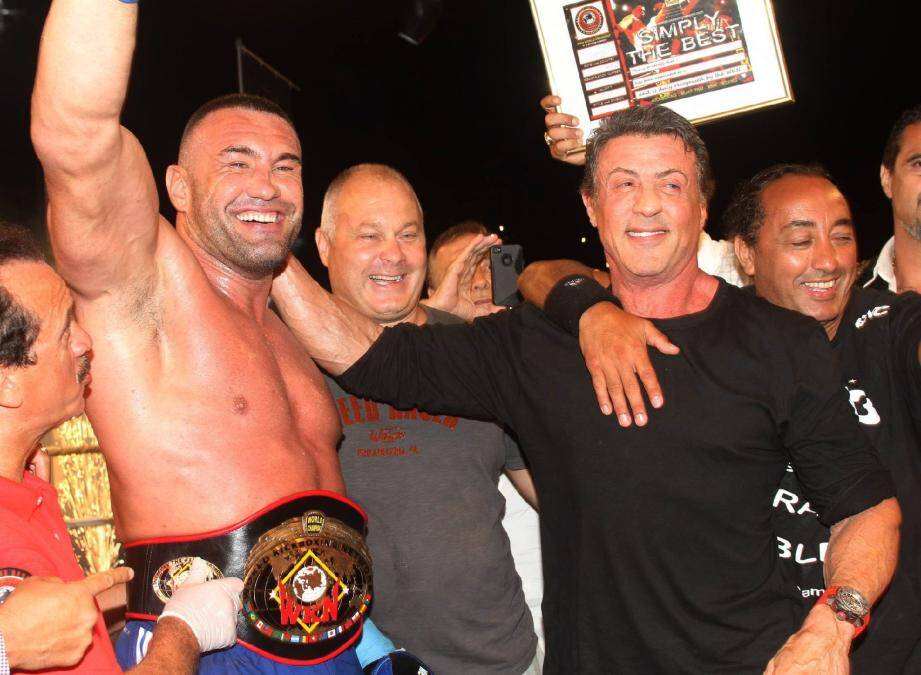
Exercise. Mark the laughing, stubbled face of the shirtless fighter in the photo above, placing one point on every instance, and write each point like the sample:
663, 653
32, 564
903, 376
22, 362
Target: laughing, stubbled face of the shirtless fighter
245, 198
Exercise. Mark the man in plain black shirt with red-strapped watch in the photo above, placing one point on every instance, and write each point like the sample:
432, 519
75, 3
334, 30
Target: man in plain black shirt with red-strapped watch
658, 543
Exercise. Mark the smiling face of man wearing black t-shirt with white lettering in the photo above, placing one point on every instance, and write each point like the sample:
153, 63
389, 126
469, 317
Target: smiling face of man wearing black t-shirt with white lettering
805, 258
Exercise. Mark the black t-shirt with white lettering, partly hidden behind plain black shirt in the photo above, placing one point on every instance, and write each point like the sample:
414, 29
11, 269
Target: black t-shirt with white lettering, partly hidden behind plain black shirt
877, 347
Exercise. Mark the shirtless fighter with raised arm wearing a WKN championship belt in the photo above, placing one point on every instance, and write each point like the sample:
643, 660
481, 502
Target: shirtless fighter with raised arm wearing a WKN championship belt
214, 422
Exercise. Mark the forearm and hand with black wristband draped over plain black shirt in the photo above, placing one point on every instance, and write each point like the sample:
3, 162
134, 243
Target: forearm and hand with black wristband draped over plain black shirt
613, 342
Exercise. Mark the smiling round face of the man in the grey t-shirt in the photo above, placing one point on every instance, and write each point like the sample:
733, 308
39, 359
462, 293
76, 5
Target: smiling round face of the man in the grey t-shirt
376, 253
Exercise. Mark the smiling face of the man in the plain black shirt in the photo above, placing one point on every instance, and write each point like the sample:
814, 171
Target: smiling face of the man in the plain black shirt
647, 207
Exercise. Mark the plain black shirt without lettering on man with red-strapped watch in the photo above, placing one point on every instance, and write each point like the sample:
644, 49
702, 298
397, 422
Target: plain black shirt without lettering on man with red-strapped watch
659, 554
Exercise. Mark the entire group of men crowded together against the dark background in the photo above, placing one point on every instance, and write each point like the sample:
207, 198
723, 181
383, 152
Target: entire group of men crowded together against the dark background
721, 438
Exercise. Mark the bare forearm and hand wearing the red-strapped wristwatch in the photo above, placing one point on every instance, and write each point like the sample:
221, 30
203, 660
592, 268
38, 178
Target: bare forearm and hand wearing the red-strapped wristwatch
862, 554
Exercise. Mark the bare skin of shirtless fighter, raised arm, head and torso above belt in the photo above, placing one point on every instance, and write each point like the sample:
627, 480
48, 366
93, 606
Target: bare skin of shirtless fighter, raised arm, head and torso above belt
205, 406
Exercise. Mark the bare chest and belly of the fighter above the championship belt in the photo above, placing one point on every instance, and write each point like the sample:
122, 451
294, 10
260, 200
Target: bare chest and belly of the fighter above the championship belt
206, 409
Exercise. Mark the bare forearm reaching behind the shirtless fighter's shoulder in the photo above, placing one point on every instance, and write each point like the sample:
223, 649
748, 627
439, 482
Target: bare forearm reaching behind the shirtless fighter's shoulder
334, 334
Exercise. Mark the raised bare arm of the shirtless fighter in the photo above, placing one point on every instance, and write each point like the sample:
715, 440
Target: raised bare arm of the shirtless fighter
103, 206
